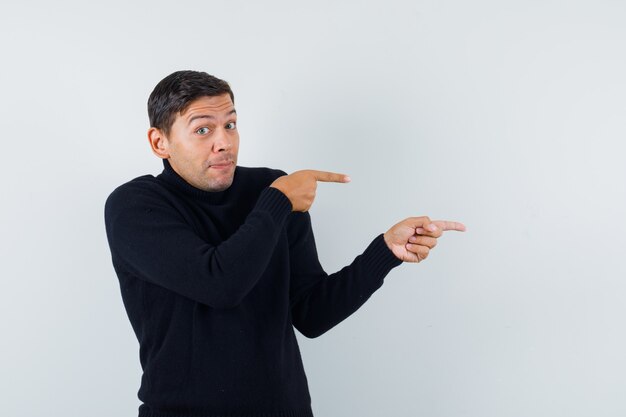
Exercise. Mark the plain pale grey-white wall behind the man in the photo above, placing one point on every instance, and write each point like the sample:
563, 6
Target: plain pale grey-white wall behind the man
508, 116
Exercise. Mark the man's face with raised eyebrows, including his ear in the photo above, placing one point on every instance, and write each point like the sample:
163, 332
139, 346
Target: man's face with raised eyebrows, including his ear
203, 143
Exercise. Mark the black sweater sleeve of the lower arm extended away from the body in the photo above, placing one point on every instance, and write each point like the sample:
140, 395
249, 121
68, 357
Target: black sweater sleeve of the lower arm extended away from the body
319, 301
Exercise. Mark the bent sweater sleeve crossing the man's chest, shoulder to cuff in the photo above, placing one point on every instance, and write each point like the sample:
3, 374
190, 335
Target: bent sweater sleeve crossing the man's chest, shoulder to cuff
150, 239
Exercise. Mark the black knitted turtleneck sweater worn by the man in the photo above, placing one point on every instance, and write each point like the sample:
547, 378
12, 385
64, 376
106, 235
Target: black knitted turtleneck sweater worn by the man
213, 284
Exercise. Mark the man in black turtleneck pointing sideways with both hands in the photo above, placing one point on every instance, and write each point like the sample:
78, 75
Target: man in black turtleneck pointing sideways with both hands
217, 263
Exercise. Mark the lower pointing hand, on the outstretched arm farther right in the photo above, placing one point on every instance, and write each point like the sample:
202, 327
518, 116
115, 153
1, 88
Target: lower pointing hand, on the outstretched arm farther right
412, 239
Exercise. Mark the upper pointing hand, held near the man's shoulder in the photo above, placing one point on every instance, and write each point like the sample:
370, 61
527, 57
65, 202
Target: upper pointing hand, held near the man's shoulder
300, 186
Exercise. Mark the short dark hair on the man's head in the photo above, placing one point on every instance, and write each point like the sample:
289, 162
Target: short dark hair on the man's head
174, 93
